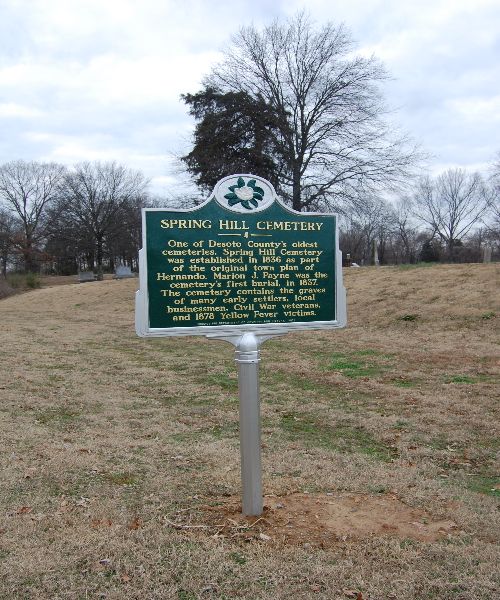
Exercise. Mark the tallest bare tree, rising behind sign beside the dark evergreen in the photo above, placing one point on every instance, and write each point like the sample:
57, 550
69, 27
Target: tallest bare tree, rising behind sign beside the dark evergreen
332, 139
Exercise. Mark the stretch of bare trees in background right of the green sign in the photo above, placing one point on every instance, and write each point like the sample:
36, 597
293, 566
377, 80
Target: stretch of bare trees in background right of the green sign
453, 217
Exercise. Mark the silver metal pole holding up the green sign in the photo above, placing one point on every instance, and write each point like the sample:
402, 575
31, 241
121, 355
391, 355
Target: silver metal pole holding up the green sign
247, 359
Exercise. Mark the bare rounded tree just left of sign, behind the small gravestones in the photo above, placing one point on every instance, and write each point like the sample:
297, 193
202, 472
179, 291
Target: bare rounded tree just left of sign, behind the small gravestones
95, 198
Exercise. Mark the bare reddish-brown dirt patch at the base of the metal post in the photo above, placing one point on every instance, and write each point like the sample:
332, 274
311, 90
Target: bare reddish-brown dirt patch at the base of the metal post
321, 520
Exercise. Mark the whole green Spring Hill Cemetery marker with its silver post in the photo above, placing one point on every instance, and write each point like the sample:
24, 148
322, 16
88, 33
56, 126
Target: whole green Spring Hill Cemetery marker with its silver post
242, 268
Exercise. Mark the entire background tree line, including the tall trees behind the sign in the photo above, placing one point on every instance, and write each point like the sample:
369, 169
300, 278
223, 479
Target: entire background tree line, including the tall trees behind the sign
295, 105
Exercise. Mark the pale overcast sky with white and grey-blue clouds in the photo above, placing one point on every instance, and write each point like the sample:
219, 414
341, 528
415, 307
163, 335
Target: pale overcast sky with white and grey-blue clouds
101, 79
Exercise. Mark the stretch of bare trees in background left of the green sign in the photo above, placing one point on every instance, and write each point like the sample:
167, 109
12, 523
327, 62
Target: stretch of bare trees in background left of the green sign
62, 220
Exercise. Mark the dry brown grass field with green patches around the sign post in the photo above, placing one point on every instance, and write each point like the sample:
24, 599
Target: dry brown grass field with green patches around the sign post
120, 456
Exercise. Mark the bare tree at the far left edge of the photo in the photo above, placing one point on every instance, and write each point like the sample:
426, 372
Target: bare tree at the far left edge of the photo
27, 189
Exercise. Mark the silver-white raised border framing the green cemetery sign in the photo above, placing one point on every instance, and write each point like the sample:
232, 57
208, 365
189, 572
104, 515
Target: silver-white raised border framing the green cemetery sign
229, 332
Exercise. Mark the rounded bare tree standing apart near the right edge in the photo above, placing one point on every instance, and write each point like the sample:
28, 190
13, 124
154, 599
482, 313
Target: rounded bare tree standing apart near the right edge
451, 205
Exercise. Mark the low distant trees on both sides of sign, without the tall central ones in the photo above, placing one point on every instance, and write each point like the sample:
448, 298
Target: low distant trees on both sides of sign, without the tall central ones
60, 221
